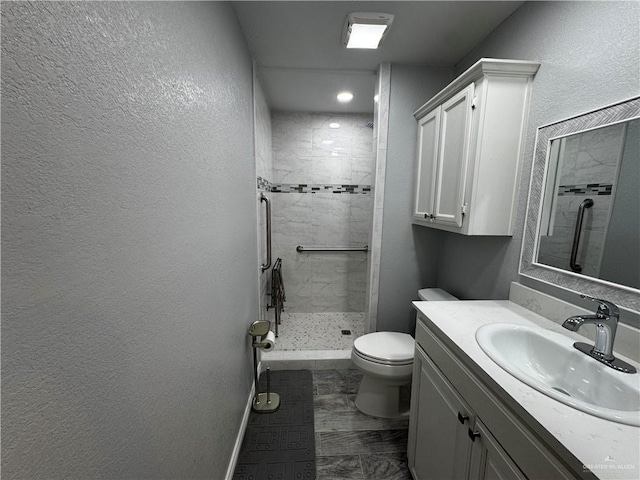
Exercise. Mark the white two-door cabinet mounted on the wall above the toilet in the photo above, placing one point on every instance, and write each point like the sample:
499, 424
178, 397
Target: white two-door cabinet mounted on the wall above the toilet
470, 140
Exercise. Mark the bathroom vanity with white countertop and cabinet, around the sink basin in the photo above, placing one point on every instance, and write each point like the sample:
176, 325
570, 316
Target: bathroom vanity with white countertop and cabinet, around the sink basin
472, 419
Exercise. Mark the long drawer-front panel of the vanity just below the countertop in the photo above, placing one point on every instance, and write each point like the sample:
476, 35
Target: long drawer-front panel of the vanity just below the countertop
530, 454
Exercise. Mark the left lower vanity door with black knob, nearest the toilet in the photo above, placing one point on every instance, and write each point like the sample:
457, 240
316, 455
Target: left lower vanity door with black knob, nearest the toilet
439, 445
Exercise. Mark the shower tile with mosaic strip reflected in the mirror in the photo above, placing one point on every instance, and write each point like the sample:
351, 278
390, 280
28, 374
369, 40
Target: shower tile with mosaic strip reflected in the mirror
589, 169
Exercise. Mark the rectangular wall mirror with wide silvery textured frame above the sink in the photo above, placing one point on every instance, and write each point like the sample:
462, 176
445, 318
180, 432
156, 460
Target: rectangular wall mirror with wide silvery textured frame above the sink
582, 230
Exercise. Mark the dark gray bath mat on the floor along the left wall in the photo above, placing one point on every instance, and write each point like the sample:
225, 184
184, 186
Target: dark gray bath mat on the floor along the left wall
281, 445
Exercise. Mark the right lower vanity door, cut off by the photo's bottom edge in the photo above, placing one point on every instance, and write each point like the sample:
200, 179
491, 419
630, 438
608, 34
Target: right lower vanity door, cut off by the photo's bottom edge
489, 461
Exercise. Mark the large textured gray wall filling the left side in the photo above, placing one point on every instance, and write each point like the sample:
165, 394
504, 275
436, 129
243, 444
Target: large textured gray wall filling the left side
129, 253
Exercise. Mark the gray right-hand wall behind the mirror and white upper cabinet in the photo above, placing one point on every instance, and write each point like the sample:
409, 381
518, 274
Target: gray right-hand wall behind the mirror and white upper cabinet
589, 56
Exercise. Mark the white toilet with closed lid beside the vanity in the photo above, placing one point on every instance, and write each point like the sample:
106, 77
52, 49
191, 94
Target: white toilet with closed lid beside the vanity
386, 360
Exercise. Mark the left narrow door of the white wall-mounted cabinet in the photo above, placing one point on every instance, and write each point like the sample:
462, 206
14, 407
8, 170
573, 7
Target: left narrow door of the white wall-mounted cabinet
428, 136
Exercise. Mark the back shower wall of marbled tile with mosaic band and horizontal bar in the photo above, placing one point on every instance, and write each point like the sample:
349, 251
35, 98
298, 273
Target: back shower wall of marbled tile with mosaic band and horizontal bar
322, 180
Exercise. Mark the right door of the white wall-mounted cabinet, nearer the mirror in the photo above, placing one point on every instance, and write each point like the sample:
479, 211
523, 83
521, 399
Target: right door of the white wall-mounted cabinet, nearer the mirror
453, 154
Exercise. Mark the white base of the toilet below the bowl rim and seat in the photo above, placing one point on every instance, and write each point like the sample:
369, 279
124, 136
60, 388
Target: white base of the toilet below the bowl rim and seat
380, 398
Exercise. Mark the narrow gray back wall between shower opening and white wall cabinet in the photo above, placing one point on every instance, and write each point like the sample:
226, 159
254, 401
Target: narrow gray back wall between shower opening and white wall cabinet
409, 255
